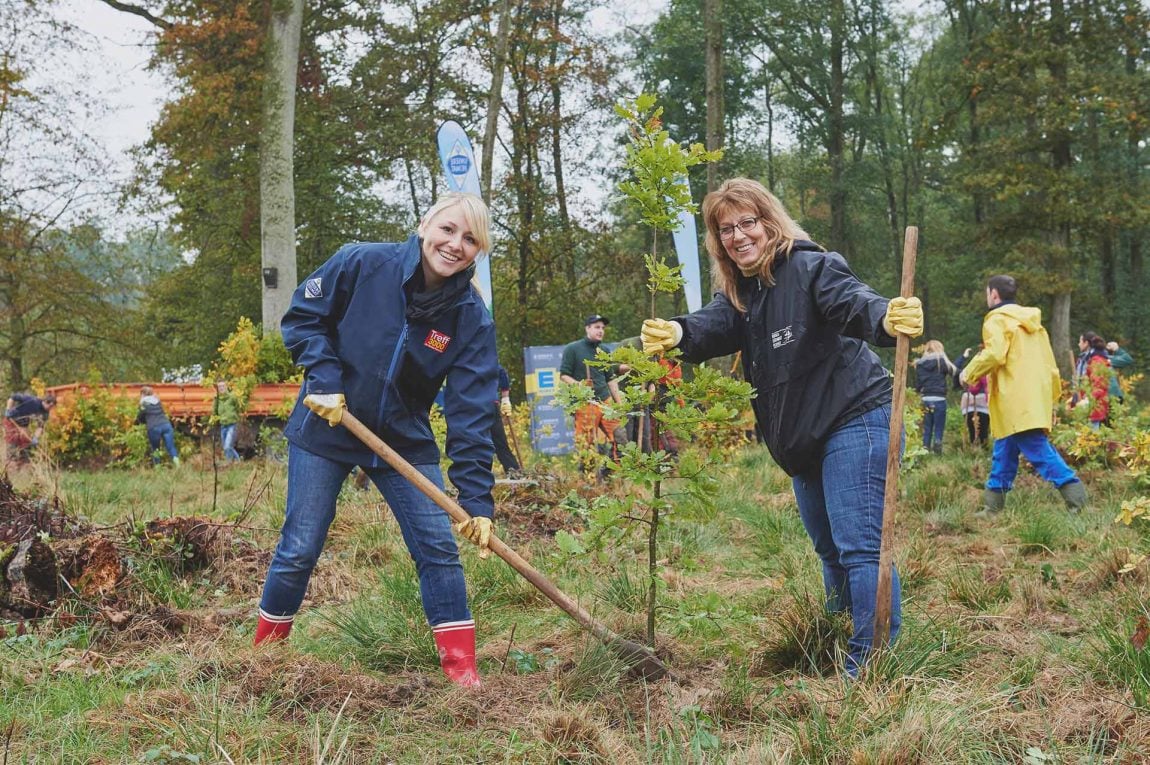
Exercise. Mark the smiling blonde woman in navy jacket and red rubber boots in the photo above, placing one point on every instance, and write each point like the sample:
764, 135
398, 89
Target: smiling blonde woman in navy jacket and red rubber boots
378, 330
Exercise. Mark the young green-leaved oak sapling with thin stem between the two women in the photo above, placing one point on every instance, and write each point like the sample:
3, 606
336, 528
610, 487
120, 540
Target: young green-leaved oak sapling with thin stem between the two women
699, 409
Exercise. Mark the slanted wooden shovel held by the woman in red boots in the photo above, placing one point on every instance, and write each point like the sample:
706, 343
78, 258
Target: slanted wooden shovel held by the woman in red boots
637, 655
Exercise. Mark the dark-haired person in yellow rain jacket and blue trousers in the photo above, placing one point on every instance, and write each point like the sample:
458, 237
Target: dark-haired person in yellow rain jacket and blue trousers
1024, 387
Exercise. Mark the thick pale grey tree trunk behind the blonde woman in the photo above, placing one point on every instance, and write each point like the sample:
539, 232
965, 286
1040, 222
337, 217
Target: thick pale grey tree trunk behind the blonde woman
278, 193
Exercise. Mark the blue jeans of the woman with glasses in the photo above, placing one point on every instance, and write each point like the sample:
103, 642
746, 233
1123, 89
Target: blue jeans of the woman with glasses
841, 504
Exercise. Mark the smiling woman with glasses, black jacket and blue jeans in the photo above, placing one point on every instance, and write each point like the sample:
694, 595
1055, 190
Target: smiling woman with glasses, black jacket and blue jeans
803, 320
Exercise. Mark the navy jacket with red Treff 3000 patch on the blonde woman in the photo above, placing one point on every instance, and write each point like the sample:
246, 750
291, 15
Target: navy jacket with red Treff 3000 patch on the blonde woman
348, 328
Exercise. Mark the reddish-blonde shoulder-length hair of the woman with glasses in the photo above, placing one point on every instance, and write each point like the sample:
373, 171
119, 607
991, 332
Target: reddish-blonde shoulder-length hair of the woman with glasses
781, 231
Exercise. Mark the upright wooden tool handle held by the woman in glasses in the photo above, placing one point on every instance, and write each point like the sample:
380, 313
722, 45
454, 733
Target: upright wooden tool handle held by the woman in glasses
891, 496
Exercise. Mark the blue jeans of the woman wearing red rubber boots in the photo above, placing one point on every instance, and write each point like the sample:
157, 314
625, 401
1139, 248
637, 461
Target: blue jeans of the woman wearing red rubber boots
313, 485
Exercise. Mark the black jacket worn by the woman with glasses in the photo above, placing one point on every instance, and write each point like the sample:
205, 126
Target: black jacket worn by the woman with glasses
804, 345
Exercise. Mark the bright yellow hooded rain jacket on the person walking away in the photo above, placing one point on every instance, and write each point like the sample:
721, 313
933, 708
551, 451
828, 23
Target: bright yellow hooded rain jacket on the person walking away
1019, 365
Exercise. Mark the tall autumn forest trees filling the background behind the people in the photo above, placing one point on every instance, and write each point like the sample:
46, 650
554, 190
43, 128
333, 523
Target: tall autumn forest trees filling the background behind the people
1013, 134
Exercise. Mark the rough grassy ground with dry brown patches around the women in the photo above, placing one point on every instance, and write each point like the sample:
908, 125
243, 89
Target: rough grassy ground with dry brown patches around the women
1016, 646
